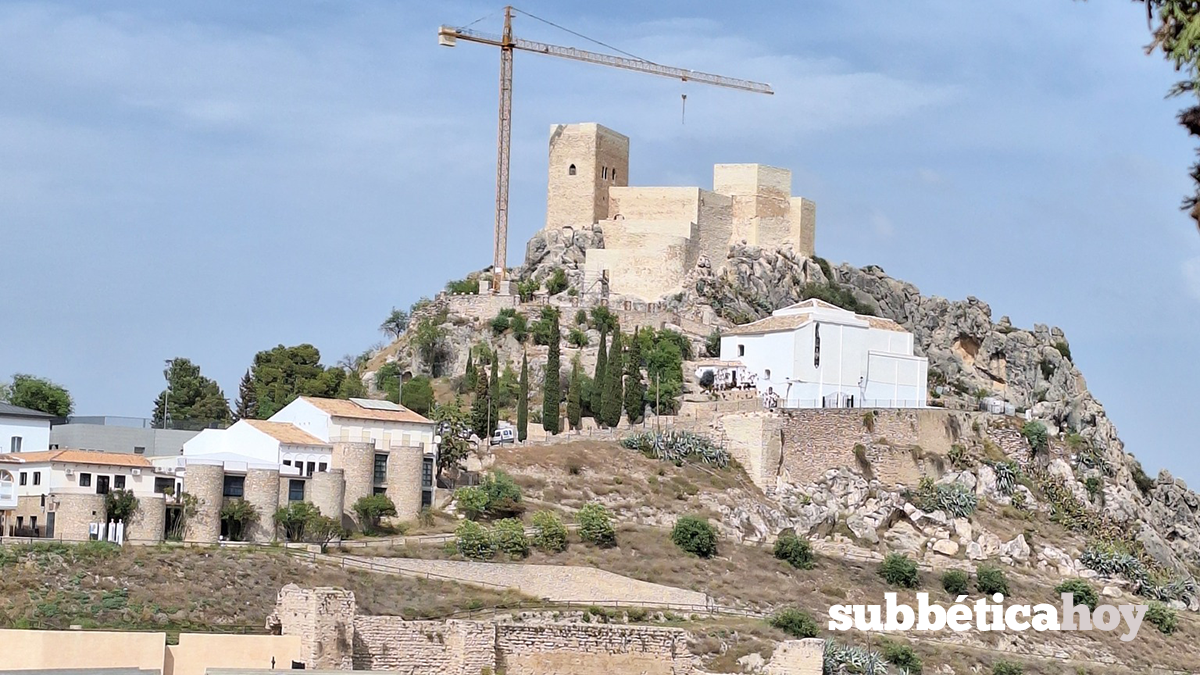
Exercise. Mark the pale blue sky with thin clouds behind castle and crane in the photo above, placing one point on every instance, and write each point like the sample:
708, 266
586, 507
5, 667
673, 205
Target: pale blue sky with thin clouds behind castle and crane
211, 180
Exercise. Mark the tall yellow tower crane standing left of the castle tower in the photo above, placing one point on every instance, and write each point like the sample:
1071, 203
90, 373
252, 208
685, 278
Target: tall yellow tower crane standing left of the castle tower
448, 37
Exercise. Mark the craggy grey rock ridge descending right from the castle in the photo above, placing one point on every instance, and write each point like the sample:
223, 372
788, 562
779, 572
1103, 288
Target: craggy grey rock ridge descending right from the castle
970, 353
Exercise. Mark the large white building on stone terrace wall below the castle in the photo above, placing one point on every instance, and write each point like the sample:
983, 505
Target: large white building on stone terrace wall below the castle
817, 355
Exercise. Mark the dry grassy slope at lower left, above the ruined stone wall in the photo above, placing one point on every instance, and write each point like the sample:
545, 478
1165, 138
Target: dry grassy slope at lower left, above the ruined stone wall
177, 589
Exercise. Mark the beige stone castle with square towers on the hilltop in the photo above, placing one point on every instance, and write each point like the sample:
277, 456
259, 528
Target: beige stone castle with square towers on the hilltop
655, 237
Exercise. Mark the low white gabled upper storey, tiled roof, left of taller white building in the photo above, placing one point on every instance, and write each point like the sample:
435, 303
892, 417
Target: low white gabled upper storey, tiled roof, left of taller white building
261, 443
